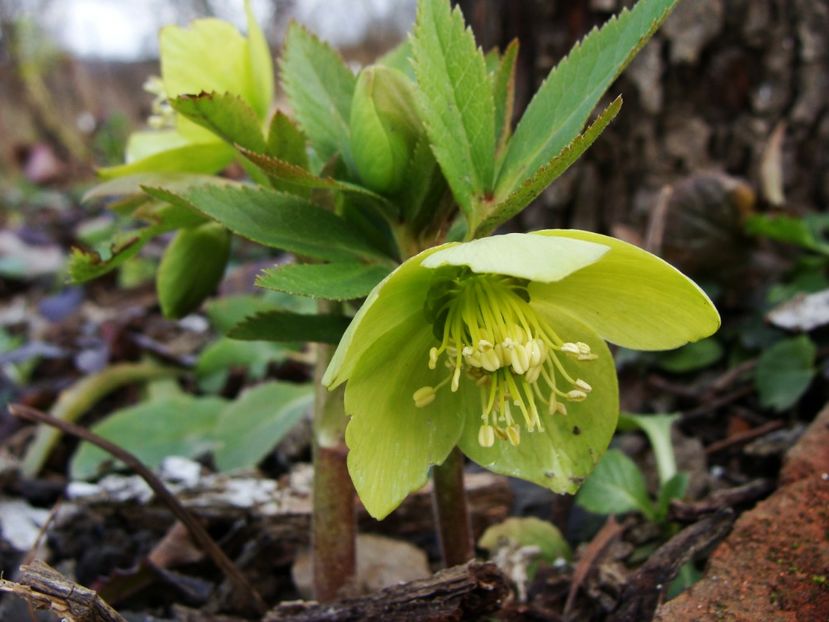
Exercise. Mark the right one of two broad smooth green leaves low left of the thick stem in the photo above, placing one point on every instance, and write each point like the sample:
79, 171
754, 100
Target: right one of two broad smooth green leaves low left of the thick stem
257, 420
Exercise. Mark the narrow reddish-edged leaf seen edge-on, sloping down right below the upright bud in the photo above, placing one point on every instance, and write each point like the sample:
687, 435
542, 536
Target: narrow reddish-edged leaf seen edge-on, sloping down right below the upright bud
298, 180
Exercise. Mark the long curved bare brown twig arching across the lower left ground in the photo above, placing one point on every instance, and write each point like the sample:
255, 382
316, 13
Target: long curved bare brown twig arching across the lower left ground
197, 531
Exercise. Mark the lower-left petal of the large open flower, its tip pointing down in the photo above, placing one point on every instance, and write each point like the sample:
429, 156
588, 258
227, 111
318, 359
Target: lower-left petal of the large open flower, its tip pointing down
392, 443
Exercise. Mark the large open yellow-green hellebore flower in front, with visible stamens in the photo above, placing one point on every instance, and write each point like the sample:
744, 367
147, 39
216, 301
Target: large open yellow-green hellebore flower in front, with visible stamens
498, 346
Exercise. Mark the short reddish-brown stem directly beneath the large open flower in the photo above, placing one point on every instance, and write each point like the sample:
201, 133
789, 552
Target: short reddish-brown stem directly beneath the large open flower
451, 514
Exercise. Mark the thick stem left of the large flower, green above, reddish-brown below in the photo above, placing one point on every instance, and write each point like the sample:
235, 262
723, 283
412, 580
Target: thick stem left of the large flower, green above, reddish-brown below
334, 520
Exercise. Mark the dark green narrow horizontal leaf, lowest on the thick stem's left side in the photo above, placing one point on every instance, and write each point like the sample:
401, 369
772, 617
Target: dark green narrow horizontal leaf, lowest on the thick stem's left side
291, 327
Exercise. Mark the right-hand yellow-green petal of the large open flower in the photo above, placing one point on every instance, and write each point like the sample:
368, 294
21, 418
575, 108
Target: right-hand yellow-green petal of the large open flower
631, 297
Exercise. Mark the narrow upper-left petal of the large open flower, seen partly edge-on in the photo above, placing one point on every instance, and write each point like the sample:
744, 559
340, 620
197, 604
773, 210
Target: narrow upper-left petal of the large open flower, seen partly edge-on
400, 296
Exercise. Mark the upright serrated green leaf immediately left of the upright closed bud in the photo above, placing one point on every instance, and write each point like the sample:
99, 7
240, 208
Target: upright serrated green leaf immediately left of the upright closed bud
319, 86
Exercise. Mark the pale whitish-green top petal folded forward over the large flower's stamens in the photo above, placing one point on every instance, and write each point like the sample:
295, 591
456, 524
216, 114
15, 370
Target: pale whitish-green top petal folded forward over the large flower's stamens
523, 255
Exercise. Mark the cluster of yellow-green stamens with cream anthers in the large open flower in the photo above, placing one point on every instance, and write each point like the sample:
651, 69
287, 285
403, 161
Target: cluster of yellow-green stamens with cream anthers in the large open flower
490, 335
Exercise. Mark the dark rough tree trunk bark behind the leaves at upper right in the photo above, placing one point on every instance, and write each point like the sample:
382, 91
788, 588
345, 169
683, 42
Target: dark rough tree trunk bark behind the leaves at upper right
733, 93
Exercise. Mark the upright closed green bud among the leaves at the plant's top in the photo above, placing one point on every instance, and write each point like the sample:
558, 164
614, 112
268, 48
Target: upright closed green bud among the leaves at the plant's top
384, 127
